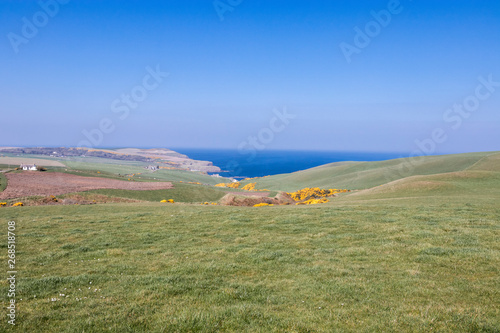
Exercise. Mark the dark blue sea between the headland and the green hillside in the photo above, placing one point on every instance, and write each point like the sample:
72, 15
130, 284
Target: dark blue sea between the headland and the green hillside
272, 162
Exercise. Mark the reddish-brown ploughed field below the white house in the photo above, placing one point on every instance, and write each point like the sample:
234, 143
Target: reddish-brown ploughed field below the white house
31, 183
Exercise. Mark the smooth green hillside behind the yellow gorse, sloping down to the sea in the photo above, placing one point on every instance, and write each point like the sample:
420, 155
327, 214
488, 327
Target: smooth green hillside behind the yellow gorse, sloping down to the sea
363, 175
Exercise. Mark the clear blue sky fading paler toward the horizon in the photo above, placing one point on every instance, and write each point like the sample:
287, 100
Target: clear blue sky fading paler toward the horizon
227, 76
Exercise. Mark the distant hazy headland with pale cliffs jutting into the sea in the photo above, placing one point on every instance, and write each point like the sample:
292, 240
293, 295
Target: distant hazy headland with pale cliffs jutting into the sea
162, 156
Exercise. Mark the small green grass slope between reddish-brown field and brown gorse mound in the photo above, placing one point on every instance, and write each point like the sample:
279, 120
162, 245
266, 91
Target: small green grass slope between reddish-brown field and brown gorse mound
180, 193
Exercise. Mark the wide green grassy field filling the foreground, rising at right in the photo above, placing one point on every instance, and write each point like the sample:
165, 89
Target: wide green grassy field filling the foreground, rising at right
416, 254
